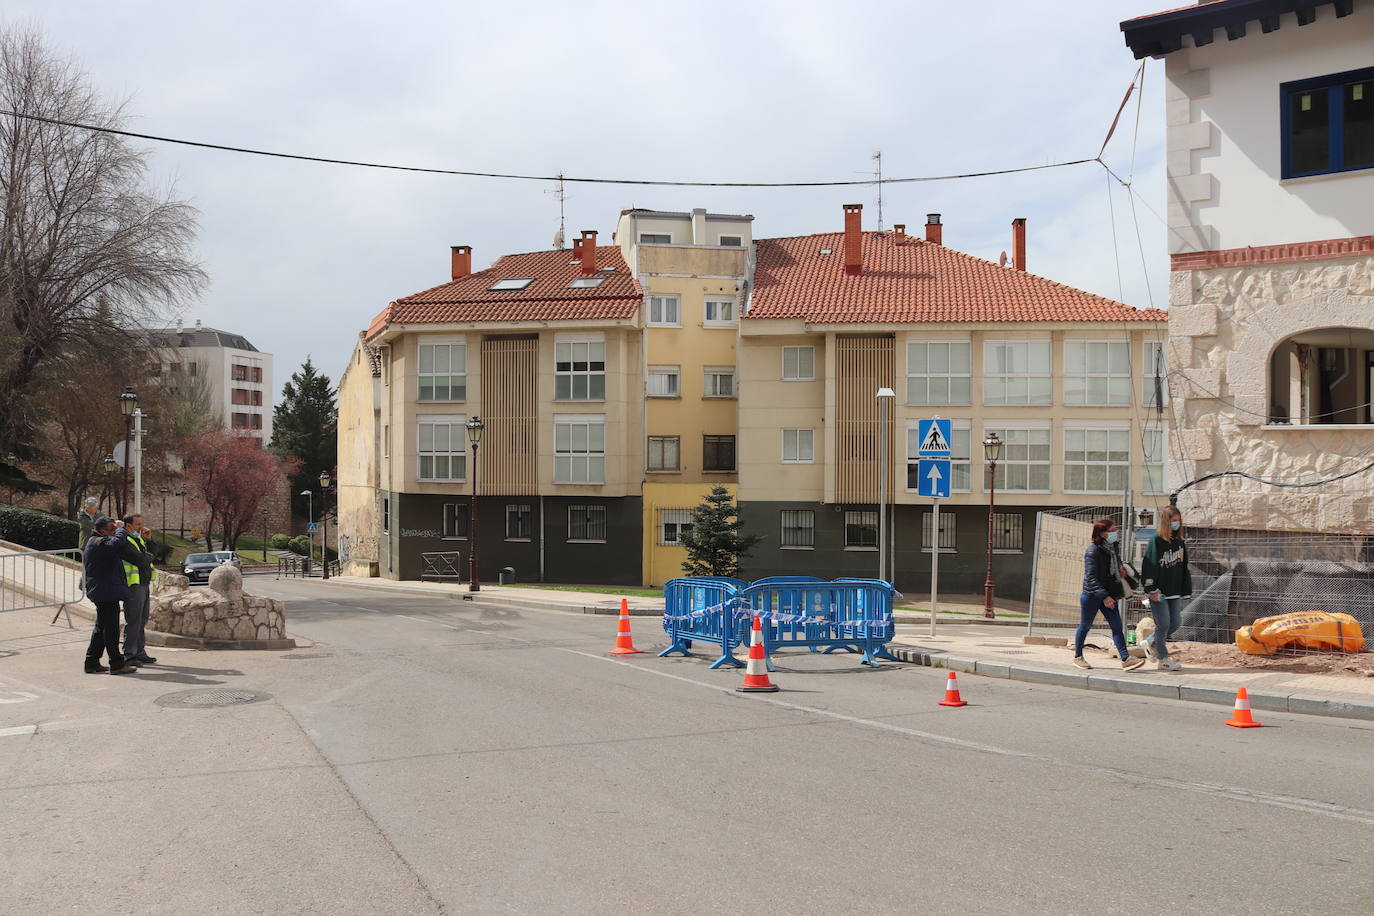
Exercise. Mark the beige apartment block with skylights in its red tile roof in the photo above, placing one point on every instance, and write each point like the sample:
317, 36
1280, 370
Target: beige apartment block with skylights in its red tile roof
546, 350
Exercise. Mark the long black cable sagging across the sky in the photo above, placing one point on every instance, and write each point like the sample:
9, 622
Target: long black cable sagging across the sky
539, 178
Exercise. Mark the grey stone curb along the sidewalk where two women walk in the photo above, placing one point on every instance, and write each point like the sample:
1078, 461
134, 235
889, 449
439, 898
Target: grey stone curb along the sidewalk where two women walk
1140, 687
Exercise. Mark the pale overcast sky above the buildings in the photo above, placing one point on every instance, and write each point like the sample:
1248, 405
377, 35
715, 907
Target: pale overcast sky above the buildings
302, 256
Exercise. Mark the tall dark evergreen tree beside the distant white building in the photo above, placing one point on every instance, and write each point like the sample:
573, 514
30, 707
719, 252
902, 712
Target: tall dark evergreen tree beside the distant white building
306, 429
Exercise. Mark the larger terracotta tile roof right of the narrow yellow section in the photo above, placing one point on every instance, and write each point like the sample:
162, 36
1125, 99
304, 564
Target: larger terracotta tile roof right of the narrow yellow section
913, 282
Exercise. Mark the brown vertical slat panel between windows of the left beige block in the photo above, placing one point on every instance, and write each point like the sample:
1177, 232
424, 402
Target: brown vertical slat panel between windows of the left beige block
510, 410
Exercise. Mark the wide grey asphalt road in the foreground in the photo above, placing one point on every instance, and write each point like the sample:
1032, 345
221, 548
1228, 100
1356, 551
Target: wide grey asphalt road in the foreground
428, 756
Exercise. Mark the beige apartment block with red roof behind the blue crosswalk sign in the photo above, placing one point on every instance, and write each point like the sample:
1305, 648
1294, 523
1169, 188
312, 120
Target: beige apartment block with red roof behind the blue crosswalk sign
1066, 378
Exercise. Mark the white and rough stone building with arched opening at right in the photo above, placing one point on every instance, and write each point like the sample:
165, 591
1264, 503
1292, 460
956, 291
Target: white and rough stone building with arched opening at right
1270, 113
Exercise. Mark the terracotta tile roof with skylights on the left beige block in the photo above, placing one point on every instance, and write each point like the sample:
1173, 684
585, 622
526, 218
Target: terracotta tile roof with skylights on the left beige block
549, 299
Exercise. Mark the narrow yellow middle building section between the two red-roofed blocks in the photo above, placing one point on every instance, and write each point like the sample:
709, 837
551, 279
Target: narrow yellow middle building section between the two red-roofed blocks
692, 268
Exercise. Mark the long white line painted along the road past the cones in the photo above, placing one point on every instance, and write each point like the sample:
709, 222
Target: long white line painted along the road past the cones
1236, 793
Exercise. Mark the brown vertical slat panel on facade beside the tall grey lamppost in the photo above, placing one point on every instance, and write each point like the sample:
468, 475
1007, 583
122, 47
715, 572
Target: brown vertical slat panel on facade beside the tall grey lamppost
864, 365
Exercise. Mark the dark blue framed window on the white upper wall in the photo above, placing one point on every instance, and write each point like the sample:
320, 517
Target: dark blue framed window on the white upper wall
1328, 124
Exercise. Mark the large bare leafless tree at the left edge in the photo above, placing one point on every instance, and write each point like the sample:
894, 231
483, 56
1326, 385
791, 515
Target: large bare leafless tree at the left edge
86, 248
